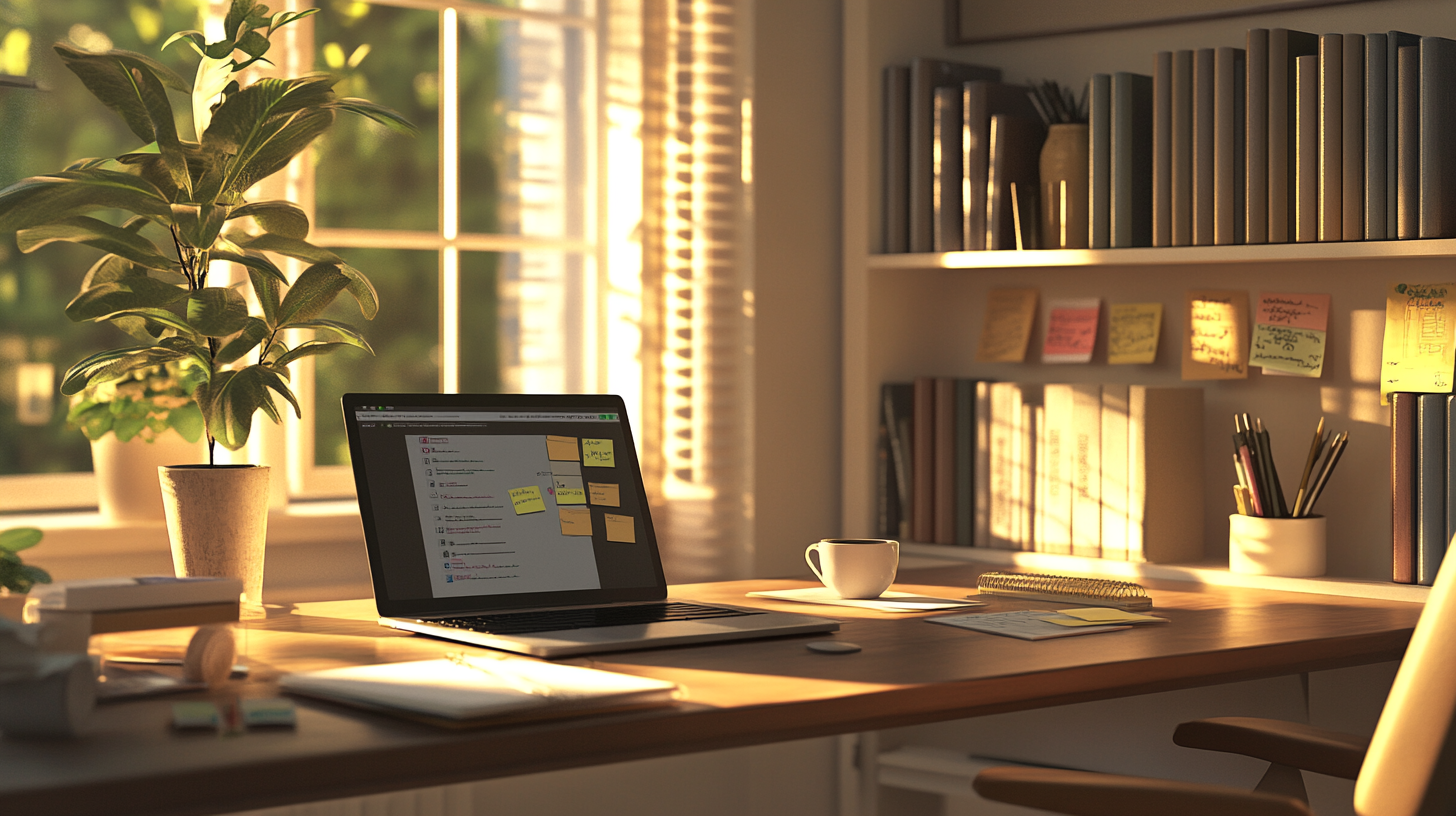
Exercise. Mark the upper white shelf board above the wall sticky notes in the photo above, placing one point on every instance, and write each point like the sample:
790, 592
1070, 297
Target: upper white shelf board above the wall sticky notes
1167, 256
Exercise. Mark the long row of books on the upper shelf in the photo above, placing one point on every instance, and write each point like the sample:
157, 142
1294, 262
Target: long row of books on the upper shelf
1297, 138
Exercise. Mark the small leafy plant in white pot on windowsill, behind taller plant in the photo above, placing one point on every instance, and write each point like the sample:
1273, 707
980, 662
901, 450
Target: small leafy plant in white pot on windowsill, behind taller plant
145, 420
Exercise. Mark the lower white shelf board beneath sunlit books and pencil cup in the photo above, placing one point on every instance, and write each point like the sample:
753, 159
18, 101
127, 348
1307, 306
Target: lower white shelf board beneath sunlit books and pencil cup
1202, 573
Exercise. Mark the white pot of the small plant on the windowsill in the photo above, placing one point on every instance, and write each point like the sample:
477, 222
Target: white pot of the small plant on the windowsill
126, 483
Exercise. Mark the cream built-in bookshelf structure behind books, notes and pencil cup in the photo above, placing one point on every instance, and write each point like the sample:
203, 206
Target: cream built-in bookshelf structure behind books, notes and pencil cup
921, 314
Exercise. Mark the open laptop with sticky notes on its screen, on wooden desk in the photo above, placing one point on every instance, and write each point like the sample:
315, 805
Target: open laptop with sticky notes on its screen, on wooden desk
521, 522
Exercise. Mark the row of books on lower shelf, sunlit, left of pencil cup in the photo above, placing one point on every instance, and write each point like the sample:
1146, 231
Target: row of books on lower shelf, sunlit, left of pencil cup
1103, 471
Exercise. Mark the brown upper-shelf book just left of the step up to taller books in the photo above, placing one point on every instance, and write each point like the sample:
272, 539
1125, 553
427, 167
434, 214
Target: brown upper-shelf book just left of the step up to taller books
1228, 146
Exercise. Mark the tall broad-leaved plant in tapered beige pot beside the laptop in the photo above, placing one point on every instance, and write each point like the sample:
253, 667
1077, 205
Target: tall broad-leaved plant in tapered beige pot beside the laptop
187, 208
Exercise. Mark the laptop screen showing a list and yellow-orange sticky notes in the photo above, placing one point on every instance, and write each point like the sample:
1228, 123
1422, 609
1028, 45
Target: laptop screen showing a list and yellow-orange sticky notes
500, 502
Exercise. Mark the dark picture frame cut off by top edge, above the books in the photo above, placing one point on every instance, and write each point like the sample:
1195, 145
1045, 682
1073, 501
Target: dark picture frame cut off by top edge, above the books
969, 23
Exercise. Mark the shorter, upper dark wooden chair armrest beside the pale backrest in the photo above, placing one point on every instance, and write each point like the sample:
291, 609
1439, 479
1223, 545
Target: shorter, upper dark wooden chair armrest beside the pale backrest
1299, 747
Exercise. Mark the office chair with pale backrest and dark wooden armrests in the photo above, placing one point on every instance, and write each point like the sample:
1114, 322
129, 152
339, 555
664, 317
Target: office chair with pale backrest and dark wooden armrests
1409, 769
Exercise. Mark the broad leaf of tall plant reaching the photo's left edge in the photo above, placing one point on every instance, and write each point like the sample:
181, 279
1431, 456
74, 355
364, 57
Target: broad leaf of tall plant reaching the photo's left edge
41, 200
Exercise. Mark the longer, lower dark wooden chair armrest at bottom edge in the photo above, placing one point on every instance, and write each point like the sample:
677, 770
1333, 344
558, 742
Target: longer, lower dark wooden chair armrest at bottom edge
1080, 793
